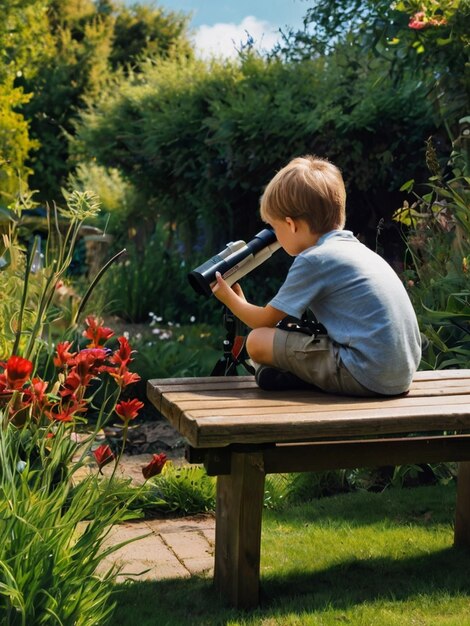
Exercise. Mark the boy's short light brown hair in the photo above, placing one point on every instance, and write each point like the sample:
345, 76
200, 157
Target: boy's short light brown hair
307, 188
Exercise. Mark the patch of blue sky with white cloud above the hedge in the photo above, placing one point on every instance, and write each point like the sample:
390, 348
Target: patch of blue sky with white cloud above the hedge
220, 26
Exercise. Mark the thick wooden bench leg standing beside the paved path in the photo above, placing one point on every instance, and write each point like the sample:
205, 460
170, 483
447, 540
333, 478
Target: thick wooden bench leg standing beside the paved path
239, 508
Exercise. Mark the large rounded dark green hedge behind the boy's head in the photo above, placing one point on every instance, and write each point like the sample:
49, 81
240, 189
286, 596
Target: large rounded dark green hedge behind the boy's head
201, 141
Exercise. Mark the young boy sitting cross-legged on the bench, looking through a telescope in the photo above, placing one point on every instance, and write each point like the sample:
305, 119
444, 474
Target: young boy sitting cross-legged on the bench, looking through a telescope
372, 346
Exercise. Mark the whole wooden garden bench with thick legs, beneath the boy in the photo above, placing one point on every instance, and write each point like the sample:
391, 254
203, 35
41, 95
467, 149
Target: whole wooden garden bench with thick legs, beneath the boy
242, 433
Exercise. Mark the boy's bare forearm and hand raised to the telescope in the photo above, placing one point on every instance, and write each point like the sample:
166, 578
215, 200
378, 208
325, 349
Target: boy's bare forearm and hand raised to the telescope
250, 314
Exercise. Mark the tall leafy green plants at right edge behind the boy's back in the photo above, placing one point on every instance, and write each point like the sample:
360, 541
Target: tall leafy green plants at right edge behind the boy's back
437, 273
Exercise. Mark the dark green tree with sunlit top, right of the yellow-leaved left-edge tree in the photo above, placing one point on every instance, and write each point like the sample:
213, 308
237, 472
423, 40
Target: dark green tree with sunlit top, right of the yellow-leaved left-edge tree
87, 43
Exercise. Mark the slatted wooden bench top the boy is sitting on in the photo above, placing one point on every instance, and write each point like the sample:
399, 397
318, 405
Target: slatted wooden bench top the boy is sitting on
219, 411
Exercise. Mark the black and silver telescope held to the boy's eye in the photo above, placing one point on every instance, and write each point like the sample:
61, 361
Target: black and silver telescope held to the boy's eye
236, 260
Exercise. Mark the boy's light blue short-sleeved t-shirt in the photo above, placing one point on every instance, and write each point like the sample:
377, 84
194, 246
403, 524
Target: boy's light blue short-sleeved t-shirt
362, 303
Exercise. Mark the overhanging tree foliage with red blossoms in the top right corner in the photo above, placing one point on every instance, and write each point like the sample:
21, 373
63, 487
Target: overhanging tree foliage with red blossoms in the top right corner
429, 38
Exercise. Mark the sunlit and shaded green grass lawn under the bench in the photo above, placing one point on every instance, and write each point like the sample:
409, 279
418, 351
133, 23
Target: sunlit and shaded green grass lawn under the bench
358, 558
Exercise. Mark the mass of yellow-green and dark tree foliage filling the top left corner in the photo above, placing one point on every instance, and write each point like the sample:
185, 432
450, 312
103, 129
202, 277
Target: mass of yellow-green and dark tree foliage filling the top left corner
54, 55
